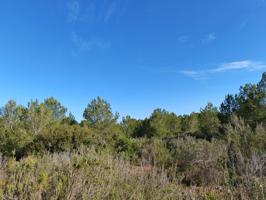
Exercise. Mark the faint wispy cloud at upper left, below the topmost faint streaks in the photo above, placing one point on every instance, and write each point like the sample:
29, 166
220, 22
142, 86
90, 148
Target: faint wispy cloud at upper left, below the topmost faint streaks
83, 44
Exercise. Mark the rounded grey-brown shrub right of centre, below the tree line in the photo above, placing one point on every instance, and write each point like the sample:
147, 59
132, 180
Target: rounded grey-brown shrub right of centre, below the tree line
199, 162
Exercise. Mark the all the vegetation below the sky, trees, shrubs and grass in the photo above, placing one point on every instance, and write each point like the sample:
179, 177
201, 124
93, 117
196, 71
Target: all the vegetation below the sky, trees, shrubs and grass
217, 153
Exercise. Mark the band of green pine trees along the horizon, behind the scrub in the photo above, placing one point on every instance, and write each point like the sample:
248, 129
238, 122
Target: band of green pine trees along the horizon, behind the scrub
45, 126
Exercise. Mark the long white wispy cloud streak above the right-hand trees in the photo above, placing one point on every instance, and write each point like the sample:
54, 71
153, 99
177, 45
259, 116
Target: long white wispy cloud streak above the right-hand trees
245, 65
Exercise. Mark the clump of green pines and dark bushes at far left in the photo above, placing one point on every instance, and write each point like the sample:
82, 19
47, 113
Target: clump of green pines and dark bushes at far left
37, 128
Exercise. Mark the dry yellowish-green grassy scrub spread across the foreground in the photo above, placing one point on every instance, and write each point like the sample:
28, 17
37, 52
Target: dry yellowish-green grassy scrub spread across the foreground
90, 175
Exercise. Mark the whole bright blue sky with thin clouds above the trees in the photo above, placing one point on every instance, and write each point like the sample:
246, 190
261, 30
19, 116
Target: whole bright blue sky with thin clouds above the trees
137, 54
